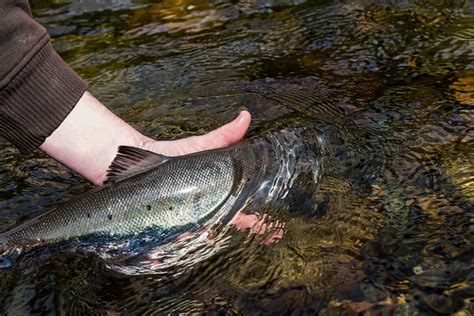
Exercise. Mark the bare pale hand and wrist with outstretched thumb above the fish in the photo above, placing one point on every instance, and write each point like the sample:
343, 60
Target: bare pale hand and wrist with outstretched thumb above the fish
88, 139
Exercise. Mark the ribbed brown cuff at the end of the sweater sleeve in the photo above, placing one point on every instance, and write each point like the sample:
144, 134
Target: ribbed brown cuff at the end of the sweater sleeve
38, 99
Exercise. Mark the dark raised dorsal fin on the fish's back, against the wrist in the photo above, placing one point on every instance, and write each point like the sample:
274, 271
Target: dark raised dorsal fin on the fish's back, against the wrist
131, 161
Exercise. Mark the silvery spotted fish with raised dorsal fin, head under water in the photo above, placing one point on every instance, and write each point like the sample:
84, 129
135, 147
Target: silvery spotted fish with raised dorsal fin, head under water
146, 191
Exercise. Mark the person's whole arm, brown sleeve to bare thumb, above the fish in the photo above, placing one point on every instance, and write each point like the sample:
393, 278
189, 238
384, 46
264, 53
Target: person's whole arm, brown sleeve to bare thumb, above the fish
43, 104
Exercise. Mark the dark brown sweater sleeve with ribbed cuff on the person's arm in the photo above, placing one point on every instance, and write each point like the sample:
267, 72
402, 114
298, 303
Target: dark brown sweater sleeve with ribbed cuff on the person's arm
37, 88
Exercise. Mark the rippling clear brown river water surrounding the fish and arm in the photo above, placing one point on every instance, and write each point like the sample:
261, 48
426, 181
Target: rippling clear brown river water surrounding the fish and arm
389, 83
